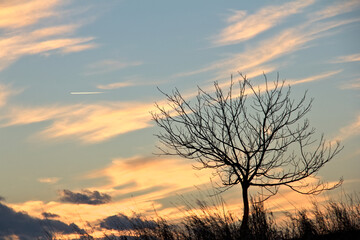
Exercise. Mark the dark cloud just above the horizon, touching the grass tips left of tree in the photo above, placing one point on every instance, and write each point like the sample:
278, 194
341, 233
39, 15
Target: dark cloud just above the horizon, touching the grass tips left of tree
123, 222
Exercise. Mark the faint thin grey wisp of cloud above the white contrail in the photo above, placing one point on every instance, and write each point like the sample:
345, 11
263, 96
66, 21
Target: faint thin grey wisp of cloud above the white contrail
109, 65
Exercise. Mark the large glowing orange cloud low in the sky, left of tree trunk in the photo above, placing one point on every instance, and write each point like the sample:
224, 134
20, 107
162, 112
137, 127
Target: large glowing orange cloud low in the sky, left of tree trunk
135, 185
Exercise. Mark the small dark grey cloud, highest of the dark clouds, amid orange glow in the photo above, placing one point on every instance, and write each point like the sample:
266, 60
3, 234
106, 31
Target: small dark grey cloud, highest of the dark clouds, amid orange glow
85, 197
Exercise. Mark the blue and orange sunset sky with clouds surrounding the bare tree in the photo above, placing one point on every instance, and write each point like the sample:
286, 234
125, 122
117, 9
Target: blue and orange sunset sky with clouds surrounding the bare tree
78, 80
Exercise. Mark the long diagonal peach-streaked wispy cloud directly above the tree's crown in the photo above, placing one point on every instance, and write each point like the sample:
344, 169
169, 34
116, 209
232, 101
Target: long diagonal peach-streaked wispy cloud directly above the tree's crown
263, 53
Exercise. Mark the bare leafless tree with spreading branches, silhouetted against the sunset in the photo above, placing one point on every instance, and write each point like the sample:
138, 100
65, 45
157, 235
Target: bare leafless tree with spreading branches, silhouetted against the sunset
252, 136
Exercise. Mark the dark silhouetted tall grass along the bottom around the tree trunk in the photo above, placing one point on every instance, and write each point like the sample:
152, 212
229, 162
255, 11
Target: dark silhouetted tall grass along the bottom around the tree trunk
331, 220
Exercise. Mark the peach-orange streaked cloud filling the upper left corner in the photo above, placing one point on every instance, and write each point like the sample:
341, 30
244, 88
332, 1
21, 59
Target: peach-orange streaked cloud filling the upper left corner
22, 36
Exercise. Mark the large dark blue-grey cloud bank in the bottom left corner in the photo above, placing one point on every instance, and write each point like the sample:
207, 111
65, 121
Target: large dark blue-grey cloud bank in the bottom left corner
27, 227
